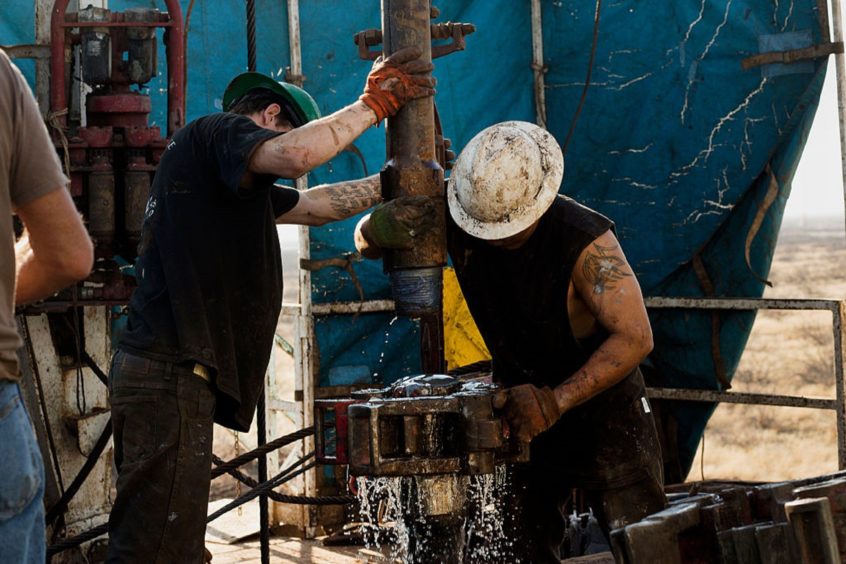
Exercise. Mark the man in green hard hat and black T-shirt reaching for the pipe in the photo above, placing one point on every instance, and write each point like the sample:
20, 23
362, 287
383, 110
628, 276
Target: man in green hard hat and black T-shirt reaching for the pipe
202, 320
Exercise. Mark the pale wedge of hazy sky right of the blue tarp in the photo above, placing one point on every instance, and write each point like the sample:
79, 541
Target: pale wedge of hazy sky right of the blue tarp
818, 186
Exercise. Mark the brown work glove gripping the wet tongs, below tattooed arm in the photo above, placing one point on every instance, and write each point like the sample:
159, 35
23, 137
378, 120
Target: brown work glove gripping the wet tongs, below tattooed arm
529, 410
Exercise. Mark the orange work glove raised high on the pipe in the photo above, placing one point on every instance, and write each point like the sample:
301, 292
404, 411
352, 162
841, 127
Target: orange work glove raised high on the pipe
395, 80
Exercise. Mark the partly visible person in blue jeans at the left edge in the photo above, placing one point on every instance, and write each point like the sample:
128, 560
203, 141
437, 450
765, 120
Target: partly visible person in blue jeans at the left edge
54, 252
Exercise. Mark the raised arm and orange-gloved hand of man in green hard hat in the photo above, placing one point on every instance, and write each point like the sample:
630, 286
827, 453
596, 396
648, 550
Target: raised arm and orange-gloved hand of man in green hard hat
392, 83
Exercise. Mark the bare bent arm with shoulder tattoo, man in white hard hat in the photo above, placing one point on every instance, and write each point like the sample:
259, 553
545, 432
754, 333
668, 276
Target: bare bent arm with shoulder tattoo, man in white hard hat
605, 283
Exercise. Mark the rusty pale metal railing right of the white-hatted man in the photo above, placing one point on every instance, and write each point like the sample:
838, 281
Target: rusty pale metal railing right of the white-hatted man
838, 312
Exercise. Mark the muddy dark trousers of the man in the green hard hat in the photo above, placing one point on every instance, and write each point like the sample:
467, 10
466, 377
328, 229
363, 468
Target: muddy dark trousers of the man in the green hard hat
162, 418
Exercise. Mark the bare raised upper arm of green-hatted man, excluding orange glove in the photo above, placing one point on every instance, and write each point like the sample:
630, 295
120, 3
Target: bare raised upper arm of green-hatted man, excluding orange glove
304, 148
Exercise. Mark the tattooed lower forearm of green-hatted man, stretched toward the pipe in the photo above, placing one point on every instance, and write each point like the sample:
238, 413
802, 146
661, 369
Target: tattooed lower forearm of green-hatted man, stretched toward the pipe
333, 202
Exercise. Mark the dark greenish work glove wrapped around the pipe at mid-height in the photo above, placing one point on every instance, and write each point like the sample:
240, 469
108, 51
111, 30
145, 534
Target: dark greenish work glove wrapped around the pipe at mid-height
395, 224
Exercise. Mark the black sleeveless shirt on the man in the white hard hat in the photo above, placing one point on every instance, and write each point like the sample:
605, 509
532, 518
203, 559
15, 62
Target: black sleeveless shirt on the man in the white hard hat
518, 299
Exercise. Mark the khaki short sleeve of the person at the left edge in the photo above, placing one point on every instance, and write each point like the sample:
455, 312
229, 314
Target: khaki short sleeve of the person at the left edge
35, 169
